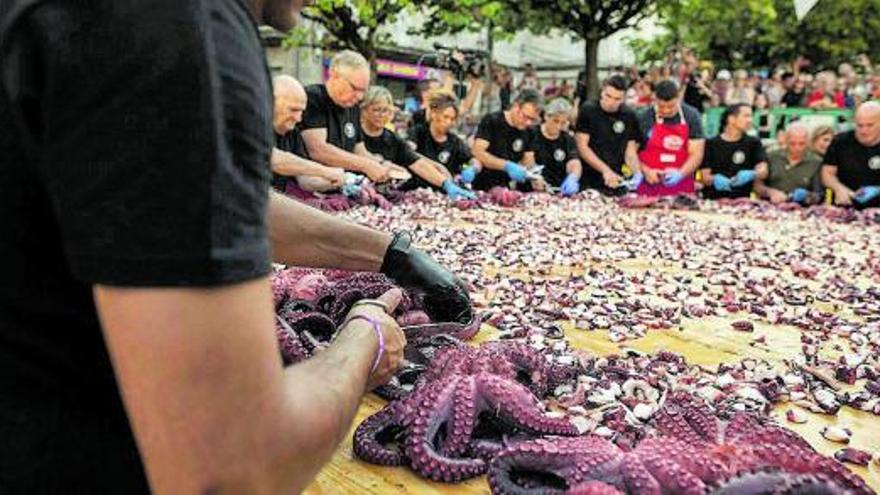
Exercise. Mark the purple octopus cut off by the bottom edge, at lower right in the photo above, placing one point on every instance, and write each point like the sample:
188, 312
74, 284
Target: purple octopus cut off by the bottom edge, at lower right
691, 452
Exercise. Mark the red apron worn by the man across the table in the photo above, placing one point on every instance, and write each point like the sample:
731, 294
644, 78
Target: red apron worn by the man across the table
667, 148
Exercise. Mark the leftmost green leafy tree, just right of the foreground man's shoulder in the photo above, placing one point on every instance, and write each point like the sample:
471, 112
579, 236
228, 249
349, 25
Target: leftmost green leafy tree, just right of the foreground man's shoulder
354, 24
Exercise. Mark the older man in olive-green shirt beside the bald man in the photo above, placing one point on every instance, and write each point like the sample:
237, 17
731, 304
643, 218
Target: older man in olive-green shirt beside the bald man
792, 173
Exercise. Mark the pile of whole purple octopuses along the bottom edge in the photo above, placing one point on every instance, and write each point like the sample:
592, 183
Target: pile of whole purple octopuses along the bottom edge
478, 410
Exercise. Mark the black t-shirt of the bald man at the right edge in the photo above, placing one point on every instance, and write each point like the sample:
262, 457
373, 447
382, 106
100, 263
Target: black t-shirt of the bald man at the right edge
857, 165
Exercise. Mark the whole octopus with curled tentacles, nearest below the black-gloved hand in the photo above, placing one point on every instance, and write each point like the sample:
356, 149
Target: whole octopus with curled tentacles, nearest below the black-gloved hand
467, 406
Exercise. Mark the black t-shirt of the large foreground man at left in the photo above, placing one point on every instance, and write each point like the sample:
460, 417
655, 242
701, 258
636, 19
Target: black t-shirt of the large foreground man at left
135, 152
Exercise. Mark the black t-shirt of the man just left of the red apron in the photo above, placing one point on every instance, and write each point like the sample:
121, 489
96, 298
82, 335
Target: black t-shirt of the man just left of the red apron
609, 135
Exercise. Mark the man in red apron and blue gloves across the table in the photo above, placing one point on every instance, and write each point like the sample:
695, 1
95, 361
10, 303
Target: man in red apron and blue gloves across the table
672, 143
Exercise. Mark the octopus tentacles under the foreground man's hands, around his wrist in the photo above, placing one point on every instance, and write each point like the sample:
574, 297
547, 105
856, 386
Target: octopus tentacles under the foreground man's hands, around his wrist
311, 304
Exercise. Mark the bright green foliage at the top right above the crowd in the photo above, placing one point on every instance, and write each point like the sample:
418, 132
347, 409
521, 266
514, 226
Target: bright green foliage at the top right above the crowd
765, 33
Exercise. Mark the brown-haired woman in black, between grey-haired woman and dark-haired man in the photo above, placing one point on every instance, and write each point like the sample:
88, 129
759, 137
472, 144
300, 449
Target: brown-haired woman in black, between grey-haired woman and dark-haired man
436, 141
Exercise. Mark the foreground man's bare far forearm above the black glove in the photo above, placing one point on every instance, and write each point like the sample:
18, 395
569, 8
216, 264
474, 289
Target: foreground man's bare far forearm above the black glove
304, 236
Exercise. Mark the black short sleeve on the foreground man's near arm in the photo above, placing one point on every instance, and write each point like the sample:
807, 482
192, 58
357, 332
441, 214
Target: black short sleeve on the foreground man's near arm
149, 184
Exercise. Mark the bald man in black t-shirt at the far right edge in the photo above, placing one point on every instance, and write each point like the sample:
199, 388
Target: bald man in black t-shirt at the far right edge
851, 168
